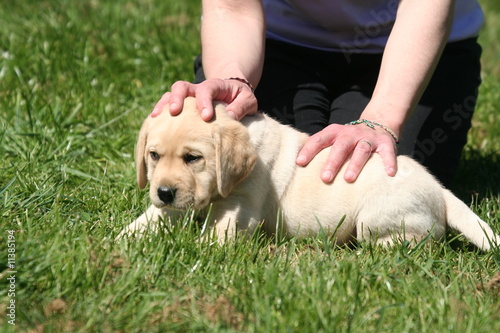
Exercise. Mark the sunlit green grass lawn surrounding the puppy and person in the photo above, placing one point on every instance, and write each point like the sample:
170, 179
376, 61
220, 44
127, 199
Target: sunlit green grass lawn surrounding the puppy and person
76, 80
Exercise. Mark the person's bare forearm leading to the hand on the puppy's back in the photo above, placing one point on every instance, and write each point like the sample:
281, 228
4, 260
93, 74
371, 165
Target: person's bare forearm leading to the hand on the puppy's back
411, 54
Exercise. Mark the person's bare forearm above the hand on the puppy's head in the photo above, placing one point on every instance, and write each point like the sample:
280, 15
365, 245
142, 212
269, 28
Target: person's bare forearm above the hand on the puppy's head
233, 34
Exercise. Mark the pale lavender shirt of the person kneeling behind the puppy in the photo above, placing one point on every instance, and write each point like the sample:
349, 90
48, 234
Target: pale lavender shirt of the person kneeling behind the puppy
353, 26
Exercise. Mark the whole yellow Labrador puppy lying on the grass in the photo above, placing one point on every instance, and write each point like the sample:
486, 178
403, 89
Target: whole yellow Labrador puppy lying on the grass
247, 172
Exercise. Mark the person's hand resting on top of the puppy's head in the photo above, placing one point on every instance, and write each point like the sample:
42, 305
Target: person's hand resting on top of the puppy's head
239, 98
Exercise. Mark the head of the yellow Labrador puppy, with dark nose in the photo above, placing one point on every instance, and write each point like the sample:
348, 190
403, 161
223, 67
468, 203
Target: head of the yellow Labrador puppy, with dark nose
189, 161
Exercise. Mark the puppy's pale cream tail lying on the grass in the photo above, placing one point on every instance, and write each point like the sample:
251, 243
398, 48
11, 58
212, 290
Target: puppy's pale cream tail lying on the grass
463, 220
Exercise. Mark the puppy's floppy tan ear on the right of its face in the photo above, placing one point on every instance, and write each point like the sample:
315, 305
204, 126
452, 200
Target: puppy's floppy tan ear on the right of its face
235, 156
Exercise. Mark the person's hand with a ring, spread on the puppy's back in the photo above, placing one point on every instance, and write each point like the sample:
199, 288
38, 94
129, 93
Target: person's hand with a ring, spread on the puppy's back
360, 140
